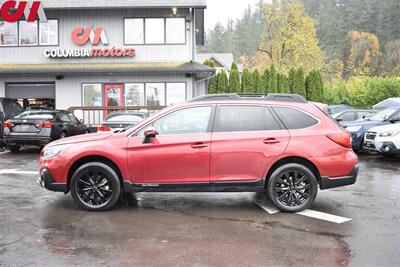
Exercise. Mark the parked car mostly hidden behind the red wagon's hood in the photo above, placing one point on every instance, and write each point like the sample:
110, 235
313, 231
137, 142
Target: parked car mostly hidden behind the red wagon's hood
121, 120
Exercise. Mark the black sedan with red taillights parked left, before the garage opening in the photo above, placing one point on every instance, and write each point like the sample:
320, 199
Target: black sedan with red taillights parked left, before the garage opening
40, 127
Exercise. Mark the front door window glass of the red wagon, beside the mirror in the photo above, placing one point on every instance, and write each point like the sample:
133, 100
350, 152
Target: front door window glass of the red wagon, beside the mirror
185, 121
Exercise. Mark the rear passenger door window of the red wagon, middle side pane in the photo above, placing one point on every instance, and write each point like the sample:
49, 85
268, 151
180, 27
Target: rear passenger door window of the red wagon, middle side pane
244, 119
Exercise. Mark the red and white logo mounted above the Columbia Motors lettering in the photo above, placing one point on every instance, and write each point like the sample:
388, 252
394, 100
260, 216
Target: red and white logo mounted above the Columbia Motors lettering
80, 36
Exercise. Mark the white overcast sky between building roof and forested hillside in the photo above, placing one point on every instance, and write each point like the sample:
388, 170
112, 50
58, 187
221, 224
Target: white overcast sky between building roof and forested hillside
222, 10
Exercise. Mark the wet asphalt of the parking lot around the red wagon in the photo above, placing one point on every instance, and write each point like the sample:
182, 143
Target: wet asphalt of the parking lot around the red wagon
41, 228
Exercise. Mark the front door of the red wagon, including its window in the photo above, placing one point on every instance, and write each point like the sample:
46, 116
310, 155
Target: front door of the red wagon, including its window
179, 154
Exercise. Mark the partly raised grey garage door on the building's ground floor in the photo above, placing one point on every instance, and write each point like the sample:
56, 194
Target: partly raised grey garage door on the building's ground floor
30, 90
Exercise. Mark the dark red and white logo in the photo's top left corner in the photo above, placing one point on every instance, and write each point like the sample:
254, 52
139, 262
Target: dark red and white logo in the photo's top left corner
12, 11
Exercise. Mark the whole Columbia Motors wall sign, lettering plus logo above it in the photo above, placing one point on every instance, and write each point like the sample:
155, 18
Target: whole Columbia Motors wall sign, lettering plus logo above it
94, 36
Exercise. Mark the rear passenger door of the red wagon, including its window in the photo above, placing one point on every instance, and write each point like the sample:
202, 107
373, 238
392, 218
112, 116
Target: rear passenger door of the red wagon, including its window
246, 140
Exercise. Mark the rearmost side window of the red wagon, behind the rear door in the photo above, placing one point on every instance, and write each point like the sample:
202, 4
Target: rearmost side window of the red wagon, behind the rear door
295, 119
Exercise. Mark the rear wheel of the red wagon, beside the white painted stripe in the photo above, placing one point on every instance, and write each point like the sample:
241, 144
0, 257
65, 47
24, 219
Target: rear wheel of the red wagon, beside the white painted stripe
286, 194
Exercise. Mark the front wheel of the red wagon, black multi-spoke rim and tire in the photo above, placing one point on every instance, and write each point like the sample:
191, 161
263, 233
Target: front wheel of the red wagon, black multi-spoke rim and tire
95, 186
